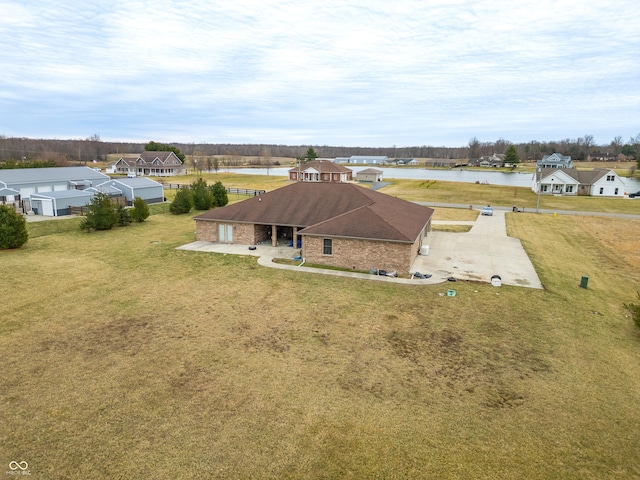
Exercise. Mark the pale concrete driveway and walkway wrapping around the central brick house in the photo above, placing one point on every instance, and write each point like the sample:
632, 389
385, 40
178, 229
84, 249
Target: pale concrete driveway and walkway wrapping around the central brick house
477, 255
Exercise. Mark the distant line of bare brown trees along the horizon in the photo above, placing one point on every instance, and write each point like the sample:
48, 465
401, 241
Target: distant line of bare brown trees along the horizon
28, 150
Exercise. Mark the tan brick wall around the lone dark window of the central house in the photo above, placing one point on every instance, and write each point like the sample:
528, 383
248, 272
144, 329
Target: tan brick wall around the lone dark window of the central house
361, 254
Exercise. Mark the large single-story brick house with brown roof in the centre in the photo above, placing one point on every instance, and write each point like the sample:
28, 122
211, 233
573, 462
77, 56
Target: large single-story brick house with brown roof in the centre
339, 224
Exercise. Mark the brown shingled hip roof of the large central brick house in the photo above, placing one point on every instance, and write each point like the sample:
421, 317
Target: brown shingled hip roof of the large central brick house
337, 209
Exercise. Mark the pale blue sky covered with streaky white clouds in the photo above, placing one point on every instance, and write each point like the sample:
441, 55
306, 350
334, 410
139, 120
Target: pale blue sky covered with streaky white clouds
369, 73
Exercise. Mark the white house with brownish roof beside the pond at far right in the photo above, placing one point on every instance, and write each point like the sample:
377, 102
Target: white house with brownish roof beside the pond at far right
599, 182
